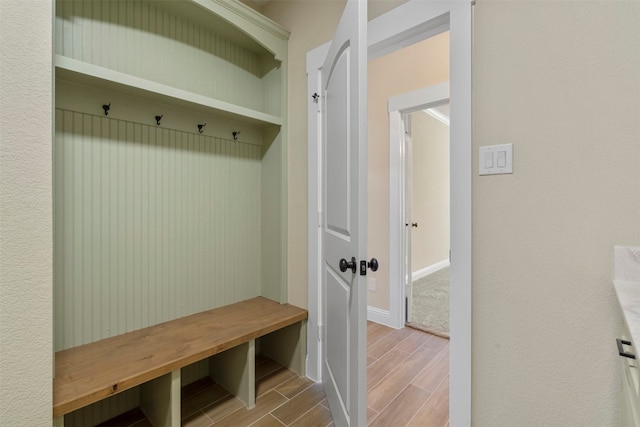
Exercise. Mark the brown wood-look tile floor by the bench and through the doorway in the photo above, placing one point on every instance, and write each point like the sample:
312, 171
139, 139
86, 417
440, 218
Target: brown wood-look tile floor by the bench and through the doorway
408, 385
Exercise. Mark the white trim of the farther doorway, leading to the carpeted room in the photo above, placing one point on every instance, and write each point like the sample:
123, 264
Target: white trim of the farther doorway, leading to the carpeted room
397, 106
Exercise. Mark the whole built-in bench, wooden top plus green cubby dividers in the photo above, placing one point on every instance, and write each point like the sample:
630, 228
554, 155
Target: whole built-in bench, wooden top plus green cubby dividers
152, 357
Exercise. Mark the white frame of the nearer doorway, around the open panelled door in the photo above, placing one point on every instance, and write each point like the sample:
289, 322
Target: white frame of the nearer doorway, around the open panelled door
409, 23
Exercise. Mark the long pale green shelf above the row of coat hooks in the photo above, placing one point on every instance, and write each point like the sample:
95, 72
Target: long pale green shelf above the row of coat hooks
89, 74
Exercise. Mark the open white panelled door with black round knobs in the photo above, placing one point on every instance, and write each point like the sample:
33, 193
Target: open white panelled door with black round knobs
344, 85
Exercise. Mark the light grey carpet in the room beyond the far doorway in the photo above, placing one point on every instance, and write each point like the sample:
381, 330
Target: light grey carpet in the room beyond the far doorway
430, 308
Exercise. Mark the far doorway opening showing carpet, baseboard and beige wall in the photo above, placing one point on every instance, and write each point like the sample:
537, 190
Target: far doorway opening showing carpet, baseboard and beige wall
427, 219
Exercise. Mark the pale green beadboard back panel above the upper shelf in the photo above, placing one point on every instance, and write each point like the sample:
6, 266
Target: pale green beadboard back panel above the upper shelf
143, 40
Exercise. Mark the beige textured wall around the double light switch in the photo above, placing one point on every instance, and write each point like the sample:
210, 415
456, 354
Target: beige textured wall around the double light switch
561, 81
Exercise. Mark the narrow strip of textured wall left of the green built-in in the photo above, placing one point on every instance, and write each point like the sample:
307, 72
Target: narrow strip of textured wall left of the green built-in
25, 213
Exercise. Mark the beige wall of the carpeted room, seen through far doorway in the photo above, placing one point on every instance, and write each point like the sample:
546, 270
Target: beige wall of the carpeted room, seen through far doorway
430, 166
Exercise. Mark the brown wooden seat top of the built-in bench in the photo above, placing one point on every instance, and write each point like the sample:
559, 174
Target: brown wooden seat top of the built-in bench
89, 373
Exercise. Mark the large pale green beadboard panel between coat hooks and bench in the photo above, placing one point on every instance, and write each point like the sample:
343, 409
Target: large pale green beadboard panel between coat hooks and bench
150, 224
